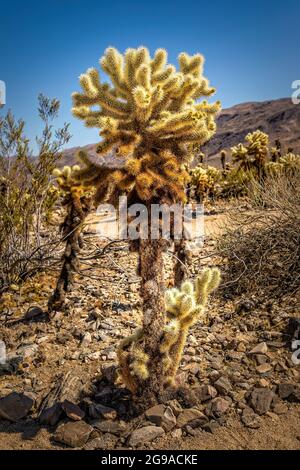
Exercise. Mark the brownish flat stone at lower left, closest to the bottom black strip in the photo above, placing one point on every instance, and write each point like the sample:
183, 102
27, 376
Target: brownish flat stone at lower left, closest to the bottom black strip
73, 434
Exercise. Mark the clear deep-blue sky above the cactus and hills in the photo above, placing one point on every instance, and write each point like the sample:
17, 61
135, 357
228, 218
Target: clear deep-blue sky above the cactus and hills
252, 47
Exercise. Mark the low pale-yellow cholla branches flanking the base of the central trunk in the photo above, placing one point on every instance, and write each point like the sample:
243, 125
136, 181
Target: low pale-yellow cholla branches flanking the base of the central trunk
183, 307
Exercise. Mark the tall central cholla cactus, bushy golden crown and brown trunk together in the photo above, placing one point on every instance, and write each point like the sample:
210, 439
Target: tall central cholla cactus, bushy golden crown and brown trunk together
150, 114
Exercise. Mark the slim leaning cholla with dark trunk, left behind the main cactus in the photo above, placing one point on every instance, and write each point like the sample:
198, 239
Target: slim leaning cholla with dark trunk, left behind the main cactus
77, 202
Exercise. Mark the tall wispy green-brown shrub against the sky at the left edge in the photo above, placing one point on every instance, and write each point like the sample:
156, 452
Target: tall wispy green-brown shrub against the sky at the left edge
27, 194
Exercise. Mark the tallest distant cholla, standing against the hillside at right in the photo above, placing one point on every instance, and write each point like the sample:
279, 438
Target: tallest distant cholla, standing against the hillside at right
252, 156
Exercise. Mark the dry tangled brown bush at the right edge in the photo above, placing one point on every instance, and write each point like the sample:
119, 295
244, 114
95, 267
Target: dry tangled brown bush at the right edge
261, 246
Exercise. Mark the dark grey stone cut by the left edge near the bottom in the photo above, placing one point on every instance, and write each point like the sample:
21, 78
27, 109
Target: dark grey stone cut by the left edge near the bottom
15, 406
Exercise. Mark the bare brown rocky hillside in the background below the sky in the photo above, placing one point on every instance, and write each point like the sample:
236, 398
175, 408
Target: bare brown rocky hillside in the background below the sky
280, 119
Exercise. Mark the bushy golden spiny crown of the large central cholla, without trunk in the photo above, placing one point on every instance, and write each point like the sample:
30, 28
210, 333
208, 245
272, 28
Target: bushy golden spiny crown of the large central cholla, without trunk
150, 115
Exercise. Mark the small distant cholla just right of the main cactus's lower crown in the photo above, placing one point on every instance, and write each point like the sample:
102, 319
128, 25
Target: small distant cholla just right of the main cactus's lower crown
205, 180
